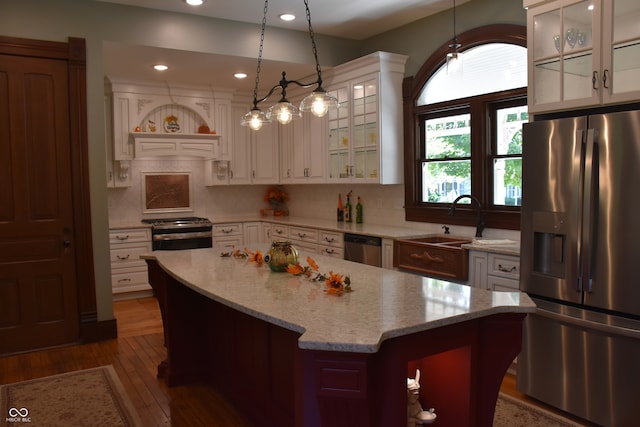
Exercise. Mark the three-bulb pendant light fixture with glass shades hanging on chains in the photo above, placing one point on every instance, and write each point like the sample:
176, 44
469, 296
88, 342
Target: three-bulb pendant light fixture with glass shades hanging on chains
318, 102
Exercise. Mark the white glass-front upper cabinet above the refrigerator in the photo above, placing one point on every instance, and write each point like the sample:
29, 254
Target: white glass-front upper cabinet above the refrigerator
582, 53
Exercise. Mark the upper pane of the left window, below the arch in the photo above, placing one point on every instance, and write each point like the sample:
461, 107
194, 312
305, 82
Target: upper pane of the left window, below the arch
448, 137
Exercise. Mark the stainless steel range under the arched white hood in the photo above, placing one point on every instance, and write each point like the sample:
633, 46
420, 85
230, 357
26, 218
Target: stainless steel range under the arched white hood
170, 234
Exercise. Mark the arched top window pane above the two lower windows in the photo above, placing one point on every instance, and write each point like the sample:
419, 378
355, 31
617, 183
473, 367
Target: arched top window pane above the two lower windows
487, 68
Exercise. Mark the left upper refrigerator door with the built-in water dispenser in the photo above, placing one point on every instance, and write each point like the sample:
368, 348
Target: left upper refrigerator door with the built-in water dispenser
551, 167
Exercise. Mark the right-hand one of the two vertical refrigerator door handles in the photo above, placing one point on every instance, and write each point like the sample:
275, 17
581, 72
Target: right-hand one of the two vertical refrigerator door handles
588, 205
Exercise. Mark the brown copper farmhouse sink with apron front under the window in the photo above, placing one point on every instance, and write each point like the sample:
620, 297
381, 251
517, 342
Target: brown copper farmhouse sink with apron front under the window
433, 256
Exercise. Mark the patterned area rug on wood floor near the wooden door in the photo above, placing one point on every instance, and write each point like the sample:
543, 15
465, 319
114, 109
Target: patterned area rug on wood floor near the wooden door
91, 397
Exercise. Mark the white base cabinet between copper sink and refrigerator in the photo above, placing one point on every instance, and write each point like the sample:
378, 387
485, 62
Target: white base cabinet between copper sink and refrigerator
494, 271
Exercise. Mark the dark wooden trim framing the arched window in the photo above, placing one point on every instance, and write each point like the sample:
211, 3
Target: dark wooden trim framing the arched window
415, 209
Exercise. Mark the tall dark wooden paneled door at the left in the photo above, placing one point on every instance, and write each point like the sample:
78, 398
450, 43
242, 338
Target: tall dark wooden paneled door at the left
38, 286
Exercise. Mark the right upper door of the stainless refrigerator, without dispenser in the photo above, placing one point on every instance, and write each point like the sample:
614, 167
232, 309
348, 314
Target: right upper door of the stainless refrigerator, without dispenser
614, 260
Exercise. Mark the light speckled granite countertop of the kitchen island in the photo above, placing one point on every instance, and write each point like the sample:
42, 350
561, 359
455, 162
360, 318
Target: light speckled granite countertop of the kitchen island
384, 303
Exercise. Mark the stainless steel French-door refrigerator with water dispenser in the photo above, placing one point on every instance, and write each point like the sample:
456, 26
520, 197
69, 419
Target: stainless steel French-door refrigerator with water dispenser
580, 259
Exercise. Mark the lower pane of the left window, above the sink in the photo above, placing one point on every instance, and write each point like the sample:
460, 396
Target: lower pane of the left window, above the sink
444, 181
